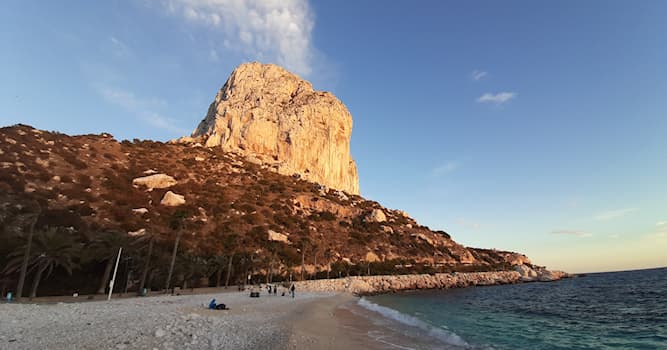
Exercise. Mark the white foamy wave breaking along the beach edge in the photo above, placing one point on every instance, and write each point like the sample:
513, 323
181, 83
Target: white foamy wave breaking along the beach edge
437, 333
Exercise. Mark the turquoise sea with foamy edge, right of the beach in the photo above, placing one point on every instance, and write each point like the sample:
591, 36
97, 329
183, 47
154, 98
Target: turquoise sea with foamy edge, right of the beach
620, 310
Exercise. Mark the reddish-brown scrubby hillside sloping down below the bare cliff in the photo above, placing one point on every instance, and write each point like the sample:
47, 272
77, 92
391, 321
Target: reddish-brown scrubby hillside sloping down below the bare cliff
270, 223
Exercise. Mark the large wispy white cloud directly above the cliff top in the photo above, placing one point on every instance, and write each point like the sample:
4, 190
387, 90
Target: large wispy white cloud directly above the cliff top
278, 31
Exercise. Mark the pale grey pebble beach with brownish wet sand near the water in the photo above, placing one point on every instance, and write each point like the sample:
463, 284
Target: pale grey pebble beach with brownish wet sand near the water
309, 321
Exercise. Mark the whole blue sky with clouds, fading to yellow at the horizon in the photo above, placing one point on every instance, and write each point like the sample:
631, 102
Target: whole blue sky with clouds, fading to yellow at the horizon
533, 127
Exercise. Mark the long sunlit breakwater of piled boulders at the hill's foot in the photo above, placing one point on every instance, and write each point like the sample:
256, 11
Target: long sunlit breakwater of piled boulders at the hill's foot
362, 285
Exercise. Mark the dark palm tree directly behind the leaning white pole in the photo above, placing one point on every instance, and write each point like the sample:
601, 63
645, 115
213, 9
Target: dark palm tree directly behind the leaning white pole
104, 248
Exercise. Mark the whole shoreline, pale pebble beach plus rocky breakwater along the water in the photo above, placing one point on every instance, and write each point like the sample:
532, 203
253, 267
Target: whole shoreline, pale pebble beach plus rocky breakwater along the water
325, 314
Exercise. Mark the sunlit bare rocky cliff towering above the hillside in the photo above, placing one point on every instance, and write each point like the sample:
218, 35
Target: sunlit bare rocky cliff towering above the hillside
273, 117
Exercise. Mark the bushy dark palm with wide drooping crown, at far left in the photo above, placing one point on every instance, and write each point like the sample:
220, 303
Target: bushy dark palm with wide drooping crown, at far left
52, 248
